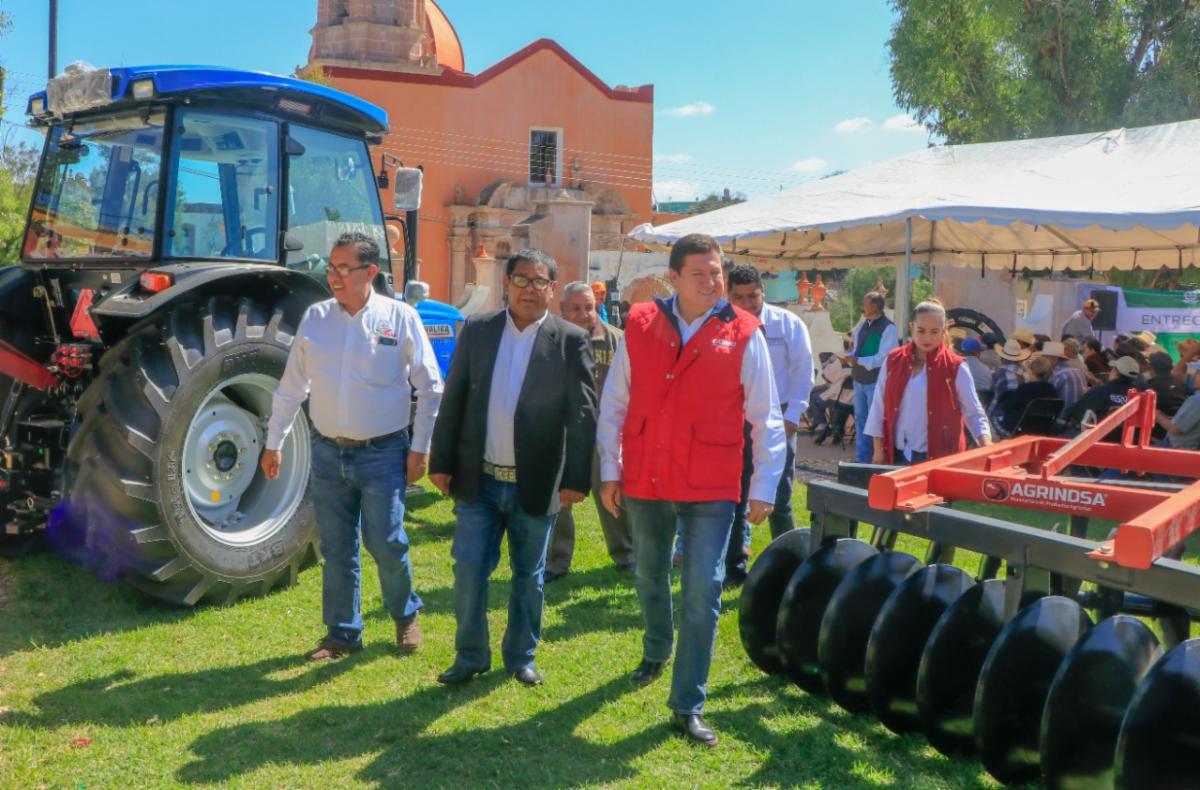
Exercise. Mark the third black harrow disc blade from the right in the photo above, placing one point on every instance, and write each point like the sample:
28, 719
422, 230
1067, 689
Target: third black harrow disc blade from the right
1016, 681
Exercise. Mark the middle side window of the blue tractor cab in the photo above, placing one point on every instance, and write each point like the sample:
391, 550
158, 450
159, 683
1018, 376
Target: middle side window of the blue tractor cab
225, 199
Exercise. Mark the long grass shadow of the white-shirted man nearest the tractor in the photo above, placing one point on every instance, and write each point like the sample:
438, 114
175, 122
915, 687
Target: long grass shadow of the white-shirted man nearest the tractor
119, 701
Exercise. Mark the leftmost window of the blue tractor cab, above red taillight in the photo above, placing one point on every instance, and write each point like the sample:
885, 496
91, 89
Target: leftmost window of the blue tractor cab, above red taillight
98, 193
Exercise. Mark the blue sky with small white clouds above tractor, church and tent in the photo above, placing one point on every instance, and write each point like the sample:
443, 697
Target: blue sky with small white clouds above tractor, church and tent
769, 95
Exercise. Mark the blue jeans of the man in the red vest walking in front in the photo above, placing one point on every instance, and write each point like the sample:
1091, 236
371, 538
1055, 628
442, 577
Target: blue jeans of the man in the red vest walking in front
706, 537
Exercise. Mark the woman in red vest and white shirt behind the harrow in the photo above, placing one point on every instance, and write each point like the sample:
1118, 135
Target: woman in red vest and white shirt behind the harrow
925, 398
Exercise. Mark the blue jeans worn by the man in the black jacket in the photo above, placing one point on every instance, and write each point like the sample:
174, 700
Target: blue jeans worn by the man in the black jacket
477, 553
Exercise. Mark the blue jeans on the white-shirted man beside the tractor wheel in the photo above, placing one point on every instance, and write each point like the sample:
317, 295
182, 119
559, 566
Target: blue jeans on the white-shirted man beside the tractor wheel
353, 488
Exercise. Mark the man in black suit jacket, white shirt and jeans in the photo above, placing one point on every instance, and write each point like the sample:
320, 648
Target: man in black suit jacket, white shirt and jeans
513, 445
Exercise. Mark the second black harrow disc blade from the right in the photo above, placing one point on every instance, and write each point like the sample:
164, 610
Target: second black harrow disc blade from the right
1088, 702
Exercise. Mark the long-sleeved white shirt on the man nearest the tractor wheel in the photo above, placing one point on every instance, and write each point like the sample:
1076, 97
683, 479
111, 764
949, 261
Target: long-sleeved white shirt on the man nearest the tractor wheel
357, 373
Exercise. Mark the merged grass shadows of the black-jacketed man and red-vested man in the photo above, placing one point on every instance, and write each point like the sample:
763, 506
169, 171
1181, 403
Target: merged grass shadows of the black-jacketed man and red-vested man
529, 753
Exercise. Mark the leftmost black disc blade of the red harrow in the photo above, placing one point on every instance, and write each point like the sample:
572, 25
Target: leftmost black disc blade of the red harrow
763, 594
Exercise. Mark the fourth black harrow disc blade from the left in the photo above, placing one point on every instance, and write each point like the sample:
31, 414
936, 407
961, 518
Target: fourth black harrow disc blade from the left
898, 639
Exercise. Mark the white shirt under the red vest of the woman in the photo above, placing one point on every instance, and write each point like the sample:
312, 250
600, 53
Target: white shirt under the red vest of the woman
911, 432
